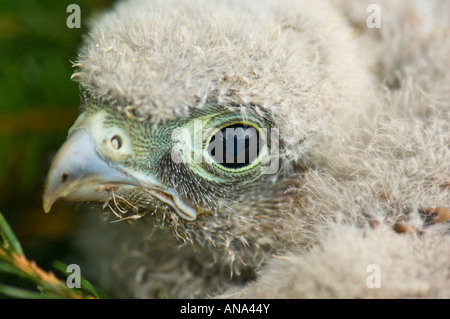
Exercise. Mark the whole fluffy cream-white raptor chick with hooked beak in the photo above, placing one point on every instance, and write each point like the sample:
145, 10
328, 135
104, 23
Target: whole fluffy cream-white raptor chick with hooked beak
285, 144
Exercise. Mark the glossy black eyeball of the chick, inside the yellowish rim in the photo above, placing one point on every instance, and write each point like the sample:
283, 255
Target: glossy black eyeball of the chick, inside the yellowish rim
235, 146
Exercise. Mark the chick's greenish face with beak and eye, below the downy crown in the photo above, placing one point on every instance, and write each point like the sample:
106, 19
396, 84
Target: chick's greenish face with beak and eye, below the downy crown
209, 162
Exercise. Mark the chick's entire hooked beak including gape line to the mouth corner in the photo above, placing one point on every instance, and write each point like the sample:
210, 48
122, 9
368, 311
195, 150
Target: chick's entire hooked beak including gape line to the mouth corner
79, 173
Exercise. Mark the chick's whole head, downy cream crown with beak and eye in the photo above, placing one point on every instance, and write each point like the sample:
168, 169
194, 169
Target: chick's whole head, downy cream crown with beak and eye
204, 117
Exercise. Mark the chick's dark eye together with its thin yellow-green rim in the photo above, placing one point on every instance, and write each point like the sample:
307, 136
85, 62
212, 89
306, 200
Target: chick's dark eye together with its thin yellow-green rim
236, 147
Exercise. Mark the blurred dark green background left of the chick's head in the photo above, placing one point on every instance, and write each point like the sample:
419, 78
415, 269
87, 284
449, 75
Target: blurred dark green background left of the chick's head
38, 104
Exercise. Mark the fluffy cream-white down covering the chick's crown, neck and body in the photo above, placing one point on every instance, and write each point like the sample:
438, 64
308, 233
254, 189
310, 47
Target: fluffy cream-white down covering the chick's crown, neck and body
366, 111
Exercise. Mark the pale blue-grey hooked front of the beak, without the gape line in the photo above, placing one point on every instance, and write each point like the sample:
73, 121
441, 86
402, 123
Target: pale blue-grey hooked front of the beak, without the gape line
79, 173
